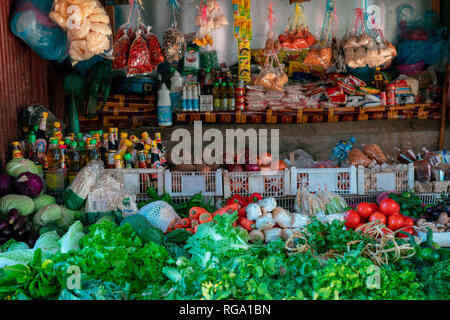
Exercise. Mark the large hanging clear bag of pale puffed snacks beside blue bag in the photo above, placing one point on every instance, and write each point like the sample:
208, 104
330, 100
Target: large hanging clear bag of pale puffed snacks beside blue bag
87, 25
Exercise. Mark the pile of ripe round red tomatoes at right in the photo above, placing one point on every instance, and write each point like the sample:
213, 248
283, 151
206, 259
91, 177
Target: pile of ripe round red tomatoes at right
388, 213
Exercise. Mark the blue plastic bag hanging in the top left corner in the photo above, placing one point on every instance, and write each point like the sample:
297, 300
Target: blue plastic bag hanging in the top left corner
30, 22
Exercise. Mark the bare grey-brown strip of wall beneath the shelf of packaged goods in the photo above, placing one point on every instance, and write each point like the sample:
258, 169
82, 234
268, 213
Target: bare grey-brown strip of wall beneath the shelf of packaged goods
318, 139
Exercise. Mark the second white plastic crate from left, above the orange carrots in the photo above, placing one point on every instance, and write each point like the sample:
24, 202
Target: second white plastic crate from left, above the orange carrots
186, 184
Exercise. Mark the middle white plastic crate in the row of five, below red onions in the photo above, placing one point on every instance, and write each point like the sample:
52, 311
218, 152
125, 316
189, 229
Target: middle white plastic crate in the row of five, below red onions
267, 183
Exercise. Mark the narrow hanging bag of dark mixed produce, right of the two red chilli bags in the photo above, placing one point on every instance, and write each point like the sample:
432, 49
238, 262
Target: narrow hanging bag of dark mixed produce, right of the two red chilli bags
174, 43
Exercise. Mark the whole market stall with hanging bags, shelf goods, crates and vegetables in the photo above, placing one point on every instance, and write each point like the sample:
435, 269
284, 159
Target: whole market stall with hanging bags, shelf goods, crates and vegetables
98, 188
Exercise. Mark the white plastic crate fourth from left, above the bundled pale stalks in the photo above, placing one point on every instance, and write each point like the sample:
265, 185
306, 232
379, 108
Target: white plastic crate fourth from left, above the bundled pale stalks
337, 180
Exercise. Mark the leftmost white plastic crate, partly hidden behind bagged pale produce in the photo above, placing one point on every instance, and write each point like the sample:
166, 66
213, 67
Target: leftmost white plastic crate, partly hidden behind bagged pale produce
137, 181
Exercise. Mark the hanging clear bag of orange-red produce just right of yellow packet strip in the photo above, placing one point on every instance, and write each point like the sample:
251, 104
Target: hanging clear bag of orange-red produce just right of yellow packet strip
297, 35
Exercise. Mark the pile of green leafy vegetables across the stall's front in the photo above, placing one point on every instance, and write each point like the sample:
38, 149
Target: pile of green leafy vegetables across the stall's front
132, 260
